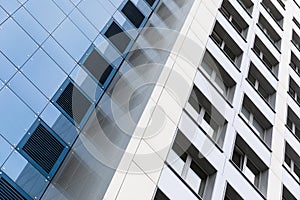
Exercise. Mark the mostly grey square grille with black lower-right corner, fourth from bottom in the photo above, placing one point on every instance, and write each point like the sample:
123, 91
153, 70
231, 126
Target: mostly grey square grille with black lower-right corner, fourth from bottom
98, 66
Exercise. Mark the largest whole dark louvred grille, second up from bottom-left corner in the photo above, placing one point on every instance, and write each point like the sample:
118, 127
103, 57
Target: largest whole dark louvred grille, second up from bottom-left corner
43, 148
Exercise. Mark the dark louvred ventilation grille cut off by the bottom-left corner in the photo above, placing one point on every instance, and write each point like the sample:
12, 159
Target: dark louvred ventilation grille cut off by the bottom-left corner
8, 192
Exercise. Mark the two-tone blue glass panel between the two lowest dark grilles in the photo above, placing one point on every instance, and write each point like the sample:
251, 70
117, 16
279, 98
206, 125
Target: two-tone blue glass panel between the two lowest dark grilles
25, 175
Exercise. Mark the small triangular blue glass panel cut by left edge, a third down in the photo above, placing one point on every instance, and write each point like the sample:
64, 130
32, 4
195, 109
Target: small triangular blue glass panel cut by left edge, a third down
6, 68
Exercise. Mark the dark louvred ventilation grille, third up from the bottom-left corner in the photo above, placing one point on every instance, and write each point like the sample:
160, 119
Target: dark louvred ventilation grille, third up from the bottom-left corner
74, 103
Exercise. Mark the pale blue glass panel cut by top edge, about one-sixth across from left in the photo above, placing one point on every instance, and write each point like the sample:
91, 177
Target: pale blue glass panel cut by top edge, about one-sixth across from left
46, 12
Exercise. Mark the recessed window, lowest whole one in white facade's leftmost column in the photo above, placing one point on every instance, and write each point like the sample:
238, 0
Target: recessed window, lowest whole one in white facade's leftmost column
191, 167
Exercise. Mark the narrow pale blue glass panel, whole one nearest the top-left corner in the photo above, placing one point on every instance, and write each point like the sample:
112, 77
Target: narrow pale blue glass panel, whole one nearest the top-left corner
30, 25
